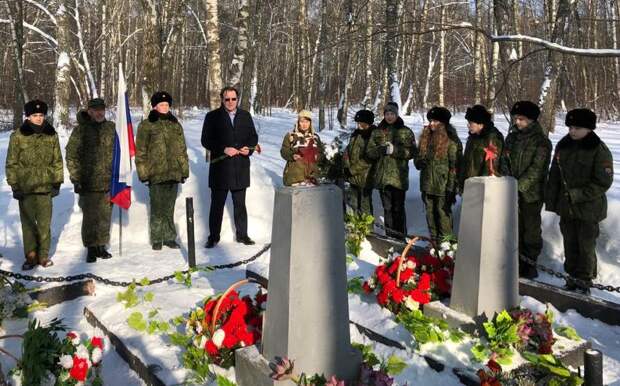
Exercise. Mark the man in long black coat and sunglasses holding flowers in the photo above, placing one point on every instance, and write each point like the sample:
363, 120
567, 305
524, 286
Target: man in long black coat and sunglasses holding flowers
228, 134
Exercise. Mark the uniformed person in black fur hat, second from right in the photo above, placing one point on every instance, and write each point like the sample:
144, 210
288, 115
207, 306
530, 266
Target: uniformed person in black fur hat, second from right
527, 152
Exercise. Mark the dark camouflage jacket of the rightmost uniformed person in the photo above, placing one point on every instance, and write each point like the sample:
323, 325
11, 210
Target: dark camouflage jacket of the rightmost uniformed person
581, 172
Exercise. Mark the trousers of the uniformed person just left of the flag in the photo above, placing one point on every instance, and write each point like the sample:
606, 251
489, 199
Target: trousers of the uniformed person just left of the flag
96, 218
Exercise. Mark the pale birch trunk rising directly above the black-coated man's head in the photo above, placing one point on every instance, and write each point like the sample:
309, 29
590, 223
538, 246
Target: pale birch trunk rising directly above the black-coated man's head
215, 68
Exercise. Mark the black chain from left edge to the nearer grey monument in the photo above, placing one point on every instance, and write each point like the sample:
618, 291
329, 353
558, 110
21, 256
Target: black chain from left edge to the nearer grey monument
114, 283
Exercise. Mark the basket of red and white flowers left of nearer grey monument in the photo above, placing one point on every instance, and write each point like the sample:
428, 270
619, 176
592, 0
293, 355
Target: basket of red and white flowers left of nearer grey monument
225, 324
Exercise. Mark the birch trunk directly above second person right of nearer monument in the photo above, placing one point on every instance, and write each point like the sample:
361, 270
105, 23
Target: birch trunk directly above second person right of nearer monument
391, 50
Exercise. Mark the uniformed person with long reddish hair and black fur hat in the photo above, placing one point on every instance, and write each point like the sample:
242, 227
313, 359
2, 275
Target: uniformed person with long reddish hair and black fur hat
437, 160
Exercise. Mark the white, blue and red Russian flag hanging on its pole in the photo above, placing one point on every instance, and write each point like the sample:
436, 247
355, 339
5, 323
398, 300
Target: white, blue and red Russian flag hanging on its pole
124, 148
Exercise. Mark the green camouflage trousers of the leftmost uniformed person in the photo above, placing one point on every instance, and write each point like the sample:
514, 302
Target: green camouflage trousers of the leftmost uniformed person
35, 213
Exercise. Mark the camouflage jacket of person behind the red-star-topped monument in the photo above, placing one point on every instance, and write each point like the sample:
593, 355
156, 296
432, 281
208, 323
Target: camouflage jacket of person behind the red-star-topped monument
474, 157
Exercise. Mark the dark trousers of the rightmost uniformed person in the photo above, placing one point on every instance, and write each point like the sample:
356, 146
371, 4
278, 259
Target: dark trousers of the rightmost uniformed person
579, 247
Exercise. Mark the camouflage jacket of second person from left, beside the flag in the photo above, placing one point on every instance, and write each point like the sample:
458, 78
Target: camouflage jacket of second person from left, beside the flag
89, 154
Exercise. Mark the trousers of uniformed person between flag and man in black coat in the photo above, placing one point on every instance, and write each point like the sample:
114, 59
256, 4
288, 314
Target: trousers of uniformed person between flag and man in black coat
163, 197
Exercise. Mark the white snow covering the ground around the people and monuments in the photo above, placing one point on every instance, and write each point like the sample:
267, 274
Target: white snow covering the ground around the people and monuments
138, 260
